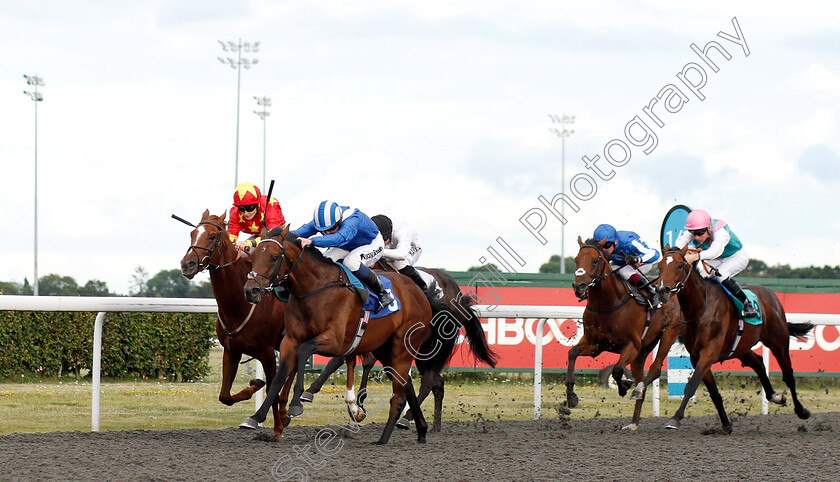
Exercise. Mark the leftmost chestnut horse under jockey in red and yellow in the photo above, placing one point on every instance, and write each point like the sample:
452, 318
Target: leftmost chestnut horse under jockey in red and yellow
242, 328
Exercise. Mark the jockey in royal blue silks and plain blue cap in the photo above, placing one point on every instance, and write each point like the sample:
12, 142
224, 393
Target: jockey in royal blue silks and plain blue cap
631, 257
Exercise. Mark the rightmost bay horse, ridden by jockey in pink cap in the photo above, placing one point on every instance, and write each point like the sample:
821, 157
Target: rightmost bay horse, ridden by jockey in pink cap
711, 333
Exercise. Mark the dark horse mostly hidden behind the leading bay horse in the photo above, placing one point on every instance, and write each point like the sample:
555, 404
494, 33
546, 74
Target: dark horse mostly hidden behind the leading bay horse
461, 305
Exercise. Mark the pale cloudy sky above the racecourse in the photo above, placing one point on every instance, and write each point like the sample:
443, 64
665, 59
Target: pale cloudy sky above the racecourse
434, 112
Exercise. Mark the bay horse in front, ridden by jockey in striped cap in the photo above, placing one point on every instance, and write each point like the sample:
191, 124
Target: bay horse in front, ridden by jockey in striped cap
323, 312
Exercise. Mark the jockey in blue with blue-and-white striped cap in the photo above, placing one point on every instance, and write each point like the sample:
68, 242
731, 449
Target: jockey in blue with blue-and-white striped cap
349, 234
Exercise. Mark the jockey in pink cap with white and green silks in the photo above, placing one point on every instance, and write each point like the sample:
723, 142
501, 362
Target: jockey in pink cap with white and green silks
714, 243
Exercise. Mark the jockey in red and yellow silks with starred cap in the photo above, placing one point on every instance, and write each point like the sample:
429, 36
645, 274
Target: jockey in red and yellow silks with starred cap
249, 213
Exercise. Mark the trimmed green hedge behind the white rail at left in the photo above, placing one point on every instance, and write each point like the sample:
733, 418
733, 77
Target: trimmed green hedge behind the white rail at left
141, 345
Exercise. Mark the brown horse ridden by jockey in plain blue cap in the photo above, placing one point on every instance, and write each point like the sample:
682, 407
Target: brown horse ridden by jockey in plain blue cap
615, 323
